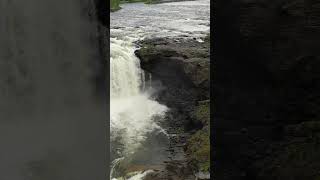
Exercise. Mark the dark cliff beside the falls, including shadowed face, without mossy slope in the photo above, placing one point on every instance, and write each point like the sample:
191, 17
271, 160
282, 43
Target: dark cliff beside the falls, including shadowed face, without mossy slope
182, 68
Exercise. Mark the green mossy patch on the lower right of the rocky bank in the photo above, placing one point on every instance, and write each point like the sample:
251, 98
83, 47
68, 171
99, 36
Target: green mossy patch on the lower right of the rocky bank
198, 146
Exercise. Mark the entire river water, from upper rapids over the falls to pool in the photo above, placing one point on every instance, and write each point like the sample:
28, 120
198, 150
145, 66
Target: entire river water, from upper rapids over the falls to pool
137, 137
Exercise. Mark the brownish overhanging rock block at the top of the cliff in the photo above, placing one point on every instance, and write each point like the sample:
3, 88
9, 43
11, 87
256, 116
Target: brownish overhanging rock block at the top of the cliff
178, 63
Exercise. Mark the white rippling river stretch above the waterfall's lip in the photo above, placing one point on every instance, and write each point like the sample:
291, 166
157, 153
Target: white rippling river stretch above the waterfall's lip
177, 19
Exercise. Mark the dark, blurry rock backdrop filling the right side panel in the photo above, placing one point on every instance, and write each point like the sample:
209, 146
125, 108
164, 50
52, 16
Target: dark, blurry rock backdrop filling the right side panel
266, 78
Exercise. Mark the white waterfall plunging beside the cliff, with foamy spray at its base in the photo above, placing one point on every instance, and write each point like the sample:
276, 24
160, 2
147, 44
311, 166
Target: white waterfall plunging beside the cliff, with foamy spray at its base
132, 110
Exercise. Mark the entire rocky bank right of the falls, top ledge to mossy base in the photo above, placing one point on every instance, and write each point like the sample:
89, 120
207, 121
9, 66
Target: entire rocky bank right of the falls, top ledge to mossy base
180, 69
